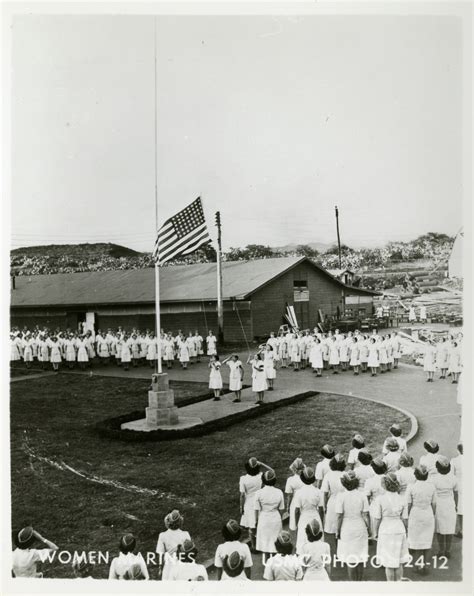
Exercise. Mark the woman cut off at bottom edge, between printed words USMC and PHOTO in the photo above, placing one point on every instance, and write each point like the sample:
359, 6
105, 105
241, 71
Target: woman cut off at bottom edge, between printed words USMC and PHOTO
316, 554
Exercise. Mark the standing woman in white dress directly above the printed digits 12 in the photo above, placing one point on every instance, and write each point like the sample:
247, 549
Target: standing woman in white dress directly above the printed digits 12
446, 485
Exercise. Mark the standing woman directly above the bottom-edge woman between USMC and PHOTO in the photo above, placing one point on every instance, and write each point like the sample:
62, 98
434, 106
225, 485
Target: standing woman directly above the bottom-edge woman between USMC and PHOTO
308, 503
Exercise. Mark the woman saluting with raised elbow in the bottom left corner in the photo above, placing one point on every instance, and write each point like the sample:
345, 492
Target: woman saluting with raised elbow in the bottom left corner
25, 557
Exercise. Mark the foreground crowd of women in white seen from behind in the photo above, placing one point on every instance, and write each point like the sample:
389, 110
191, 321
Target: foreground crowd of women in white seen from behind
335, 509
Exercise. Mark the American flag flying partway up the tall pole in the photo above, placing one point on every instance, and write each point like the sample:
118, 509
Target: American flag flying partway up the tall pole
182, 234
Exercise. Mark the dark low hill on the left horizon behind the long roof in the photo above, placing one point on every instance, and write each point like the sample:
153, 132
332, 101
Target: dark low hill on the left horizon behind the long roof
77, 251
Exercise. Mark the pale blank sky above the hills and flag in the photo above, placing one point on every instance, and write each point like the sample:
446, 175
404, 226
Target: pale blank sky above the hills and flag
271, 120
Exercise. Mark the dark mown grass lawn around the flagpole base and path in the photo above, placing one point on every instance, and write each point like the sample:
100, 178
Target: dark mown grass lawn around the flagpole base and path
200, 476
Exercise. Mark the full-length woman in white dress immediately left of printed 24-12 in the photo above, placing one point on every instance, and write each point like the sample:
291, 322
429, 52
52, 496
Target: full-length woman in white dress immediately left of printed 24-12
391, 520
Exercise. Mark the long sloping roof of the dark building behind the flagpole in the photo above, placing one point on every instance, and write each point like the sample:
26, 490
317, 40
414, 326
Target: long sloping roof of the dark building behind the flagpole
177, 284
